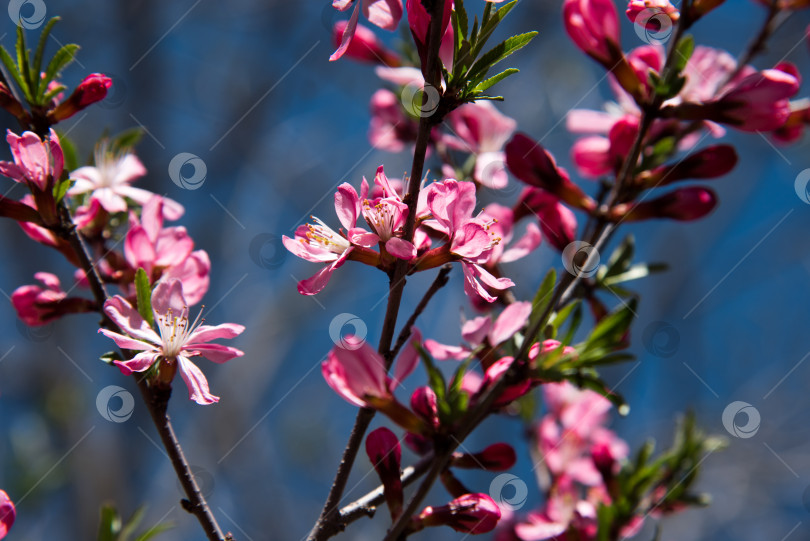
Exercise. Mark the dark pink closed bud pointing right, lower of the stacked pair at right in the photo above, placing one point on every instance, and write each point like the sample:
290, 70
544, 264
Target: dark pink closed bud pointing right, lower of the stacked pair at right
684, 204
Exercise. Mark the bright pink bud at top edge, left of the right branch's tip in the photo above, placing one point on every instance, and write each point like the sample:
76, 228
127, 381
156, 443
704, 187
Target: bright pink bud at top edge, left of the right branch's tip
593, 25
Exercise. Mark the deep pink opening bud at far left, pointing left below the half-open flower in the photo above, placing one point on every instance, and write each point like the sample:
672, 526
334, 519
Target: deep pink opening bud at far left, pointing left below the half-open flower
37, 305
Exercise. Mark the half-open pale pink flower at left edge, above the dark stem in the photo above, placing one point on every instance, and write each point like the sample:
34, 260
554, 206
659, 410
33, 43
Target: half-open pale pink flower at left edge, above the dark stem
37, 163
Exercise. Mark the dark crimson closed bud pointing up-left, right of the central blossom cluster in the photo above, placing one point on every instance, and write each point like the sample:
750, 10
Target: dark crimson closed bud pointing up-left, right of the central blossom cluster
532, 164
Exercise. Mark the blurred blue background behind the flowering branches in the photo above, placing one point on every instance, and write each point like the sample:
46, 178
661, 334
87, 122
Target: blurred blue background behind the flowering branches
246, 86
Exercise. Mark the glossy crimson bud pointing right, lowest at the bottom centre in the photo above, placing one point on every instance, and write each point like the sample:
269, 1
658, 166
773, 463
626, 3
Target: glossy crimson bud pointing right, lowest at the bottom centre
471, 513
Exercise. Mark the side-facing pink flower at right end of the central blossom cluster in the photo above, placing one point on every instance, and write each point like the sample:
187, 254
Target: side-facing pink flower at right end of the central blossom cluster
451, 204
